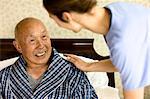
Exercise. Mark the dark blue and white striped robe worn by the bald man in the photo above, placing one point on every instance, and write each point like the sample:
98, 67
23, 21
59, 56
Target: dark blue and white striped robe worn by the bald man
61, 81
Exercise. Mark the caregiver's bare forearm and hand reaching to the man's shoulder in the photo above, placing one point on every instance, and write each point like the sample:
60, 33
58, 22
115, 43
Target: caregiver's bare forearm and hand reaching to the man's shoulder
98, 66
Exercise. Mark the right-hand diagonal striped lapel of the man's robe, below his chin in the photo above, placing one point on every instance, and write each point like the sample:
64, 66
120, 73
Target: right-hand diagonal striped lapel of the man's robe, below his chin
54, 77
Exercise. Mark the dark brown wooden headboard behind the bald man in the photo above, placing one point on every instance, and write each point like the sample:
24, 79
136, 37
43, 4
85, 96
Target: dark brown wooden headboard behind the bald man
82, 47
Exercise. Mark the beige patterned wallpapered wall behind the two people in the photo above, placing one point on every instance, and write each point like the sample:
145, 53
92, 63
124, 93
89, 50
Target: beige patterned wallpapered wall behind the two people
12, 11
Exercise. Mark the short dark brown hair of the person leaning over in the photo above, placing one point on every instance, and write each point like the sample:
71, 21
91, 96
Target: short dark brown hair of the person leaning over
57, 7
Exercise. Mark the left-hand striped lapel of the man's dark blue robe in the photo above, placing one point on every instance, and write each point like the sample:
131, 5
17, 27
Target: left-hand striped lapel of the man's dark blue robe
19, 81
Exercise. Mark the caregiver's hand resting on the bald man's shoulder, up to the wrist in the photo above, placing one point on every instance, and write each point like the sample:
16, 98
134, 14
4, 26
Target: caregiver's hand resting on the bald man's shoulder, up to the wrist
79, 63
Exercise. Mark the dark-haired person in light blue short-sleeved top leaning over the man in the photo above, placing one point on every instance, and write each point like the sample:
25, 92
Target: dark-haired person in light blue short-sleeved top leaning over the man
127, 30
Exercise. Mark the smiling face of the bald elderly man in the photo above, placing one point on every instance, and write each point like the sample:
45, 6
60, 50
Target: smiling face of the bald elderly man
35, 44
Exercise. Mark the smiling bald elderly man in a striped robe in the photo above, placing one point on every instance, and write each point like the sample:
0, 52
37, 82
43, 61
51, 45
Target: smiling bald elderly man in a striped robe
40, 73
